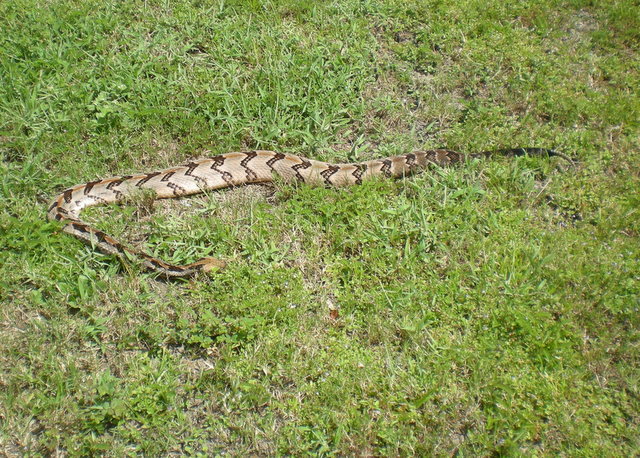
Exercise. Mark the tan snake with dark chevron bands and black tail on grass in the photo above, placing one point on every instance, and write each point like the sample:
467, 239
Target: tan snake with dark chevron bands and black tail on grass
235, 169
